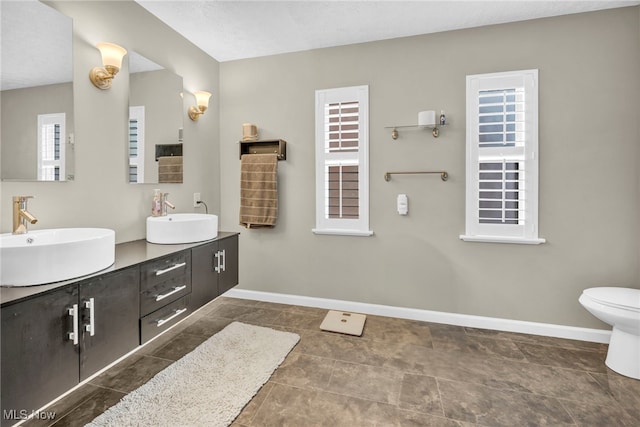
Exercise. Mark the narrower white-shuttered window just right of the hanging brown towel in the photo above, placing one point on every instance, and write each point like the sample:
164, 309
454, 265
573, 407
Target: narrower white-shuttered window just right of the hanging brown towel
342, 172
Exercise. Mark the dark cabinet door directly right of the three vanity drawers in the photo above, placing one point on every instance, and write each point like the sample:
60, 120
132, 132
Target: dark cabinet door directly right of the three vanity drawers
204, 278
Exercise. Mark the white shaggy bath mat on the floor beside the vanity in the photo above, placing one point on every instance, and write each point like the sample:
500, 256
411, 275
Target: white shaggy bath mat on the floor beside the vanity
208, 386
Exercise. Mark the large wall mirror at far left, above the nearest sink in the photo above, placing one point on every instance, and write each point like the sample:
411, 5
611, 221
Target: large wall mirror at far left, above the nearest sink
37, 93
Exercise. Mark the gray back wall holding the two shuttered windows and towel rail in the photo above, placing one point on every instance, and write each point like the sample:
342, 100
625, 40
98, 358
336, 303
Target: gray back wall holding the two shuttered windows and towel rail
589, 186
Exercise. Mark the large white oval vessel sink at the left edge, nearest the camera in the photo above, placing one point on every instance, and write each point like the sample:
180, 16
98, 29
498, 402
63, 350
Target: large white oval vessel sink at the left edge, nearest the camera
46, 256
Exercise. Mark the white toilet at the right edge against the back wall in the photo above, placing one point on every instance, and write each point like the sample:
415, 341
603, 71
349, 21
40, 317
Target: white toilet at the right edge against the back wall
619, 307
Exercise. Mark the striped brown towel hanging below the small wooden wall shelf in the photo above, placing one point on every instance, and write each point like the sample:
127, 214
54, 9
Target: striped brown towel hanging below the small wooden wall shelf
258, 190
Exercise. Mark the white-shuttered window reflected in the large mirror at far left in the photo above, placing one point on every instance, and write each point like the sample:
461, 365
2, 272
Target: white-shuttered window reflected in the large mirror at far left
51, 147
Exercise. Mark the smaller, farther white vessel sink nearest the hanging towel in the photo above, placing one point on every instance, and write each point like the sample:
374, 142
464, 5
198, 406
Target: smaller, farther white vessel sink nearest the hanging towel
181, 228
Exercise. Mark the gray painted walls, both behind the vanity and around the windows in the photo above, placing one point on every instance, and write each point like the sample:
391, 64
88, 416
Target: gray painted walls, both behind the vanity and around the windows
589, 141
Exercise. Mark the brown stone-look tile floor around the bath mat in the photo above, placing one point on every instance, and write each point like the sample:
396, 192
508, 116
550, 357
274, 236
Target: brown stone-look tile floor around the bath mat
399, 373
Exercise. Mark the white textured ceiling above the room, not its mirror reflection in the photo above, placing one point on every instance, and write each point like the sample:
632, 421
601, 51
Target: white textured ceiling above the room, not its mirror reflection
229, 30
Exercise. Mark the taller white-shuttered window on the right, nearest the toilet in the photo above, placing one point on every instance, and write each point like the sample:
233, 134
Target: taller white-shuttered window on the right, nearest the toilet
502, 158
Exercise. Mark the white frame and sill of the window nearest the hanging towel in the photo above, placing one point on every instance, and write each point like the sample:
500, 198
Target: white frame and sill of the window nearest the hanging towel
343, 227
